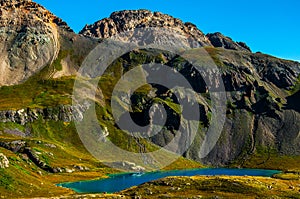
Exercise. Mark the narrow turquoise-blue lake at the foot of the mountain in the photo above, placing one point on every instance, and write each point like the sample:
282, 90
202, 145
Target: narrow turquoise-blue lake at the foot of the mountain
119, 182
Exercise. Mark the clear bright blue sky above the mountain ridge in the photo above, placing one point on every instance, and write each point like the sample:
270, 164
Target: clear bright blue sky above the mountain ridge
269, 26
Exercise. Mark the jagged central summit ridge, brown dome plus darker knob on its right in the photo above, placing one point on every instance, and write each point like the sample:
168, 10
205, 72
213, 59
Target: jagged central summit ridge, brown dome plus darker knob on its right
126, 20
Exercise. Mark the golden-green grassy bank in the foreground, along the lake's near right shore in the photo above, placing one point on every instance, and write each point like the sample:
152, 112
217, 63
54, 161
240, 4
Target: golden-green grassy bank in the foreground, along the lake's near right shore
215, 187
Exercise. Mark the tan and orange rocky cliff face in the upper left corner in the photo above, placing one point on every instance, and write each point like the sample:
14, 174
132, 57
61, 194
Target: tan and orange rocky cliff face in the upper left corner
29, 39
